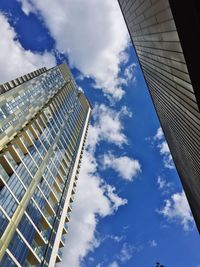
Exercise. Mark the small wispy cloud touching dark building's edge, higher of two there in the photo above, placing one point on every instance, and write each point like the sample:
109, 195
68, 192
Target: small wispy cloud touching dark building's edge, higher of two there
164, 149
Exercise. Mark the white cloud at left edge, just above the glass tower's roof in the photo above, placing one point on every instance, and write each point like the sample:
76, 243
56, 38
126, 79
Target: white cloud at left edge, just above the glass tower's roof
14, 59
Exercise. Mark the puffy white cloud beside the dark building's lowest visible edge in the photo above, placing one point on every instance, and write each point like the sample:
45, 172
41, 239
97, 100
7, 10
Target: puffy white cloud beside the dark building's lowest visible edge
177, 209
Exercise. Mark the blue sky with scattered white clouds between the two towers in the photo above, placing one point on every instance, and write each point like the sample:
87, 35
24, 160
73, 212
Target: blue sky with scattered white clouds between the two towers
129, 208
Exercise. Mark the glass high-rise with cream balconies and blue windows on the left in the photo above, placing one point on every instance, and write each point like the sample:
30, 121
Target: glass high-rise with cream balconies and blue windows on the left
43, 127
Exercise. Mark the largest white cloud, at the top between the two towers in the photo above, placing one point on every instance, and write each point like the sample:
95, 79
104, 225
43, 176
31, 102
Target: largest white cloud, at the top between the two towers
93, 35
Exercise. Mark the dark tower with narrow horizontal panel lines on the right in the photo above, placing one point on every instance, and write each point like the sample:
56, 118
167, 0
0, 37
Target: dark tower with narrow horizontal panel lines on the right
165, 34
